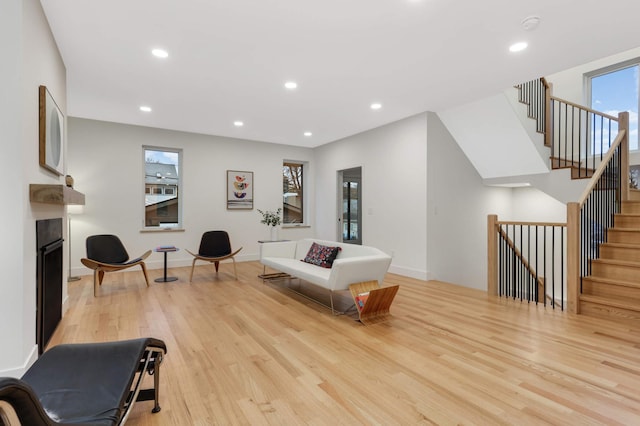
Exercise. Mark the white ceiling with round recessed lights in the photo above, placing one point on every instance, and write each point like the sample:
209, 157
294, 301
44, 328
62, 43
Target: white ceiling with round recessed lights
229, 59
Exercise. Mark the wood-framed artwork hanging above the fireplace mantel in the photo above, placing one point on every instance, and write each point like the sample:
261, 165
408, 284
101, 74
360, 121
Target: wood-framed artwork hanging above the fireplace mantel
51, 127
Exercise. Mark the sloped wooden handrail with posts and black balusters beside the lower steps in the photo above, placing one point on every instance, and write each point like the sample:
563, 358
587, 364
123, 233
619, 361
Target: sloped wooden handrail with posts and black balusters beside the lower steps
589, 219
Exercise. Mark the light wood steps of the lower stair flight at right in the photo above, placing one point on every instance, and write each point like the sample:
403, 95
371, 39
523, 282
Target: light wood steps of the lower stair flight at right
613, 288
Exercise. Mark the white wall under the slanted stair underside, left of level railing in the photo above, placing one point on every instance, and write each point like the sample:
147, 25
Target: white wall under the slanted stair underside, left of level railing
457, 214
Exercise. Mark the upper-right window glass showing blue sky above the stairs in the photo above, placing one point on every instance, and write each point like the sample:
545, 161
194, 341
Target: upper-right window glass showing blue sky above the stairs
614, 92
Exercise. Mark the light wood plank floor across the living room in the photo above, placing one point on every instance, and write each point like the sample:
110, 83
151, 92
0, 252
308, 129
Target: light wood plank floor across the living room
247, 353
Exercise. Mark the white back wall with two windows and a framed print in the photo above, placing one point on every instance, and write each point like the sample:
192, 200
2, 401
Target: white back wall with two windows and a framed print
106, 162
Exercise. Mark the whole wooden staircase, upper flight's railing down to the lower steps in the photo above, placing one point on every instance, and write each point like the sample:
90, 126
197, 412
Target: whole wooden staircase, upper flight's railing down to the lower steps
610, 278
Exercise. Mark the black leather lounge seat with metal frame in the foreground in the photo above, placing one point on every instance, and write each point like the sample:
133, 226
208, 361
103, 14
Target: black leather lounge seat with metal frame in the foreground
86, 383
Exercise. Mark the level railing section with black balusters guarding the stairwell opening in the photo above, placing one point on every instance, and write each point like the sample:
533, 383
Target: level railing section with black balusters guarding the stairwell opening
527, 261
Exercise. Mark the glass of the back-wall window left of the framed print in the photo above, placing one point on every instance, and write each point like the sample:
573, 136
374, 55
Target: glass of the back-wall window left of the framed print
161, 188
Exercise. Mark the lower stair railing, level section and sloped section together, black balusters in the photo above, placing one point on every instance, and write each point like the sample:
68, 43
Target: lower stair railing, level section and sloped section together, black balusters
517, 270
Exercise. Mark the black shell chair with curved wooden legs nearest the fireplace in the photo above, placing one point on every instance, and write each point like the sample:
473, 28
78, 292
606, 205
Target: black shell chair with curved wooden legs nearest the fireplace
106, 253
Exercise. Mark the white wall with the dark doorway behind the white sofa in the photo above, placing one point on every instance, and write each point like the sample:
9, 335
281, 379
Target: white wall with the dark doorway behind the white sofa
394, 187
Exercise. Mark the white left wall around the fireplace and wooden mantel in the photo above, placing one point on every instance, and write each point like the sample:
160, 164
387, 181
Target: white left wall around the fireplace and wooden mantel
30, 58
